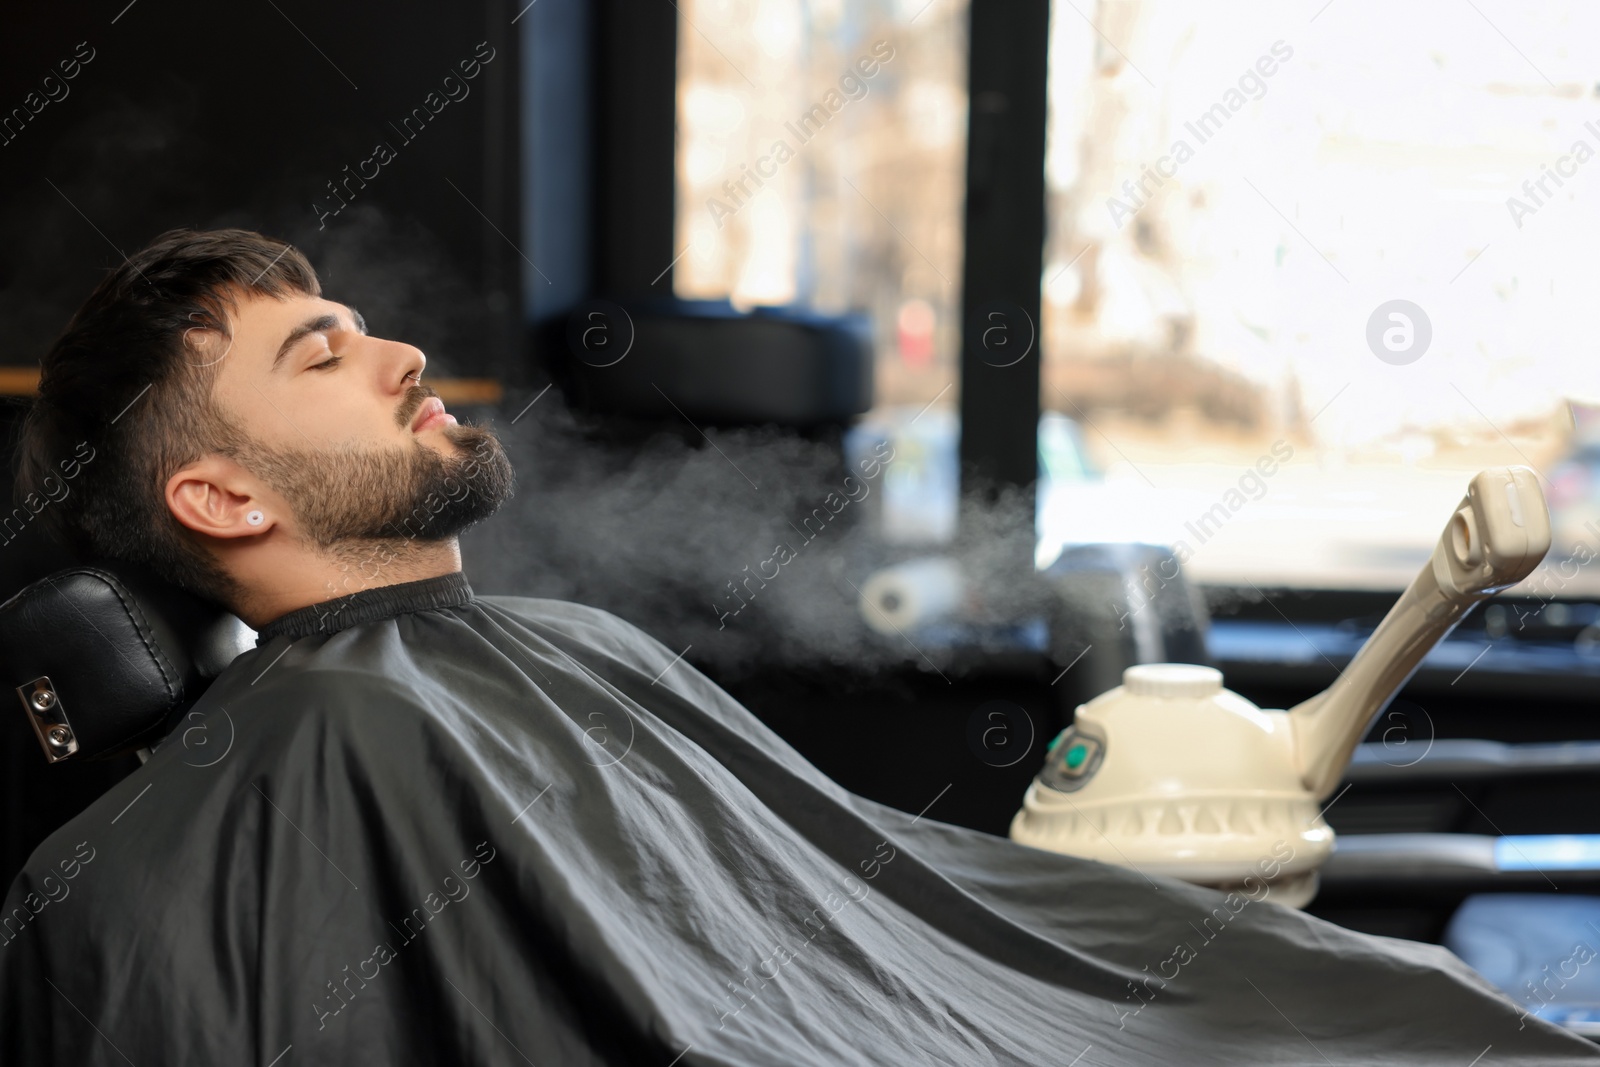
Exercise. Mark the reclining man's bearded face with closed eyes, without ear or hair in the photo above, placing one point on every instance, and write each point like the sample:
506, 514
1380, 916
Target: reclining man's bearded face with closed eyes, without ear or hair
342, 430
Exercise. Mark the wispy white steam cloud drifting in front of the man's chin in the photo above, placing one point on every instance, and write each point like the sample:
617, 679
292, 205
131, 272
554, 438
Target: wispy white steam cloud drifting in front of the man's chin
655, 533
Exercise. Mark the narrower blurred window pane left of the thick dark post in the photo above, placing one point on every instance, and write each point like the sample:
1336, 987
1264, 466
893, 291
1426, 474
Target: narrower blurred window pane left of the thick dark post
822, 162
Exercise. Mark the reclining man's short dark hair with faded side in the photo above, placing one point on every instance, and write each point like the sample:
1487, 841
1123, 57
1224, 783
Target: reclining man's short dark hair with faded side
126, 401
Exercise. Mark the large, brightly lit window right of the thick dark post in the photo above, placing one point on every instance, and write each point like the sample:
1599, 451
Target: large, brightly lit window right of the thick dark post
1311, 268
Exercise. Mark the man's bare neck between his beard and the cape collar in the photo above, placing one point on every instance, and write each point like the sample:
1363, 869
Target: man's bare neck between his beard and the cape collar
289, 585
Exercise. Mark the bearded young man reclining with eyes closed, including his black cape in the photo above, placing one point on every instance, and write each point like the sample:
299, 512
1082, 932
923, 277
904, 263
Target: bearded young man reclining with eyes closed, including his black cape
460, 829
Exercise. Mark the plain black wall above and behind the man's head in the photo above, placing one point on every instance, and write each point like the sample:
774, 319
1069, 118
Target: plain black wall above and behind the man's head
206, 114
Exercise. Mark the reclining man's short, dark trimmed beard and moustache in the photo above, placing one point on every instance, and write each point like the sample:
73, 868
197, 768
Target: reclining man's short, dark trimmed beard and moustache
351, 498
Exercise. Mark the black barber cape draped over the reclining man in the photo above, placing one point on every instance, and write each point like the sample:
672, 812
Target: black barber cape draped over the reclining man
428, 828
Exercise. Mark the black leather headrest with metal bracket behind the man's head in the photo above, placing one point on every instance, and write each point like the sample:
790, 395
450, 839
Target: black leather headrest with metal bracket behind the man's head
108, 657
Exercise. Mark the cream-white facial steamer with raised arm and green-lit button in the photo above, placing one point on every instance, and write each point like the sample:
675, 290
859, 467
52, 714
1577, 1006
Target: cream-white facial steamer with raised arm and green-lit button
1170, 773
